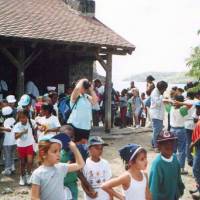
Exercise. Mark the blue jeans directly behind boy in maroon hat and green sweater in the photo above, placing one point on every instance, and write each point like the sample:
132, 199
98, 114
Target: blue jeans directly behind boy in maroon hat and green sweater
181, 145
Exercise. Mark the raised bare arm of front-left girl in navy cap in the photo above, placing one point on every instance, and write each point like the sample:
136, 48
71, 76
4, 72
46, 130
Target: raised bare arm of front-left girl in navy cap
79, 164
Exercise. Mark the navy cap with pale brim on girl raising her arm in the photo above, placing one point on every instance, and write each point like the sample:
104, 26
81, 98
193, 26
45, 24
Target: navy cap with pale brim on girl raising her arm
61, 138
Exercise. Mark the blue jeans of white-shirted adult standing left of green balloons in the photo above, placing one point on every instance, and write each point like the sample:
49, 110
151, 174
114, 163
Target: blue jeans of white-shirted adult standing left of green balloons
157, 126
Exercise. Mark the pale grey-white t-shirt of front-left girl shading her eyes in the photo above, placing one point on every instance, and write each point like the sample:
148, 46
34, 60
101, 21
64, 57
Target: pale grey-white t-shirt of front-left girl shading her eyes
51, 181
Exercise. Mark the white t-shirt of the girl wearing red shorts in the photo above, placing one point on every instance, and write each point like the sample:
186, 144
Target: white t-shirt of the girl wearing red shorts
27, 138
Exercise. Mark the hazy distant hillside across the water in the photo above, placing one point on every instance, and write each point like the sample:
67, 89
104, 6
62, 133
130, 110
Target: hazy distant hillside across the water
170, 77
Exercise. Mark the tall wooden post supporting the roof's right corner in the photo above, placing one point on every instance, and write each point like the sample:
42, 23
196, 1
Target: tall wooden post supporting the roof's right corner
108, 90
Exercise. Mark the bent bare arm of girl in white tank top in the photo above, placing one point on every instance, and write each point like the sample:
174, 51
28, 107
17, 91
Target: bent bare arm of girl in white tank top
109, 185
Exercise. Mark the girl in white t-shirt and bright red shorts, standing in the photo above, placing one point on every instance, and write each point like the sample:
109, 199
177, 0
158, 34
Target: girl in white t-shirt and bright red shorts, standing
24, 135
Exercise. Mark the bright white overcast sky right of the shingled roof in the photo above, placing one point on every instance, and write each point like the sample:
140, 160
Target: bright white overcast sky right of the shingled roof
163, 31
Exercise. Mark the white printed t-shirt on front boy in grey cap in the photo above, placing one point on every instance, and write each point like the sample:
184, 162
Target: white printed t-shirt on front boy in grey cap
96, 174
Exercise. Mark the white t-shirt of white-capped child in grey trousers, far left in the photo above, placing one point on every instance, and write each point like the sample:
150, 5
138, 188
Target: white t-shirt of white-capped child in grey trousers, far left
9, 138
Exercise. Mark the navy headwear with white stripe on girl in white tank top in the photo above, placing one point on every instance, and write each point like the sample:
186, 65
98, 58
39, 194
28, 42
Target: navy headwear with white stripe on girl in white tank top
129, 151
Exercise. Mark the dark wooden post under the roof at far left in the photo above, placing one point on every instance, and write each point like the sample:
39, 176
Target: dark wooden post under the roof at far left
20, 72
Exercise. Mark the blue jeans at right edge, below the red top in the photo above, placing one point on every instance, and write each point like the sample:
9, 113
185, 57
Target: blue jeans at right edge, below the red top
196, 165
